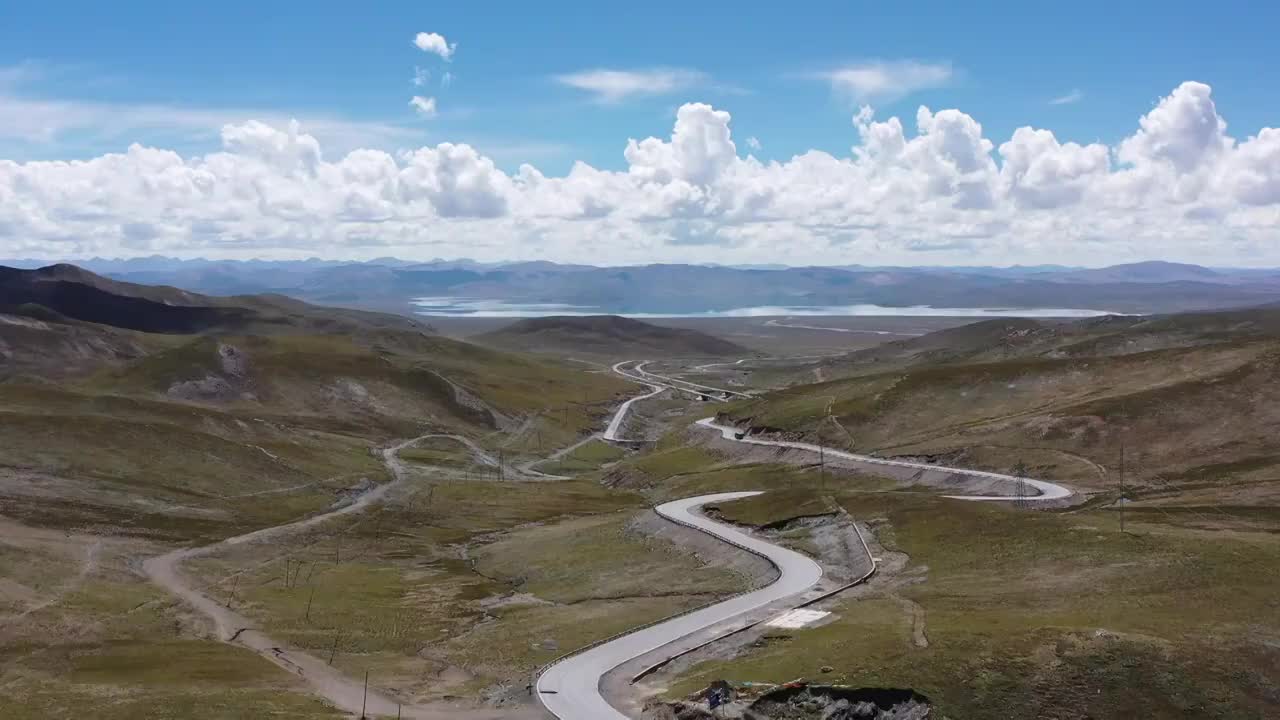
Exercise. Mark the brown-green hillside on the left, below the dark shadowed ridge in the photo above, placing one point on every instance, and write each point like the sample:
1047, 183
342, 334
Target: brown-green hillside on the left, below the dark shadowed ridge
180, 436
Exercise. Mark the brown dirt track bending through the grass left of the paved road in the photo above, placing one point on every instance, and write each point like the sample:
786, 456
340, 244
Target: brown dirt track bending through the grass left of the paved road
346, 694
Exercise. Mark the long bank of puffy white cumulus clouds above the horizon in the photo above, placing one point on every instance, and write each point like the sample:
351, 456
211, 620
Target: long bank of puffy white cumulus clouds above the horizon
1178, 188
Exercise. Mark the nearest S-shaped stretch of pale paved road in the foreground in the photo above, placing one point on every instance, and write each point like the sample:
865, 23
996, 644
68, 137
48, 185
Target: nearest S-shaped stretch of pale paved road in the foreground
572, 689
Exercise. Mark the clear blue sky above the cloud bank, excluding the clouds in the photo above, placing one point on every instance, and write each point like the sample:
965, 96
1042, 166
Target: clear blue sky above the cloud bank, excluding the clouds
761, 62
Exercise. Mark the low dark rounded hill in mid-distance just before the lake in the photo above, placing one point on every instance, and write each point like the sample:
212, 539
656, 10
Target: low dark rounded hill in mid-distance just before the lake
609, 336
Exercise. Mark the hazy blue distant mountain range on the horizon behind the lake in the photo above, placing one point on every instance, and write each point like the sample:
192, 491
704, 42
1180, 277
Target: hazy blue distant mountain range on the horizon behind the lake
464, 286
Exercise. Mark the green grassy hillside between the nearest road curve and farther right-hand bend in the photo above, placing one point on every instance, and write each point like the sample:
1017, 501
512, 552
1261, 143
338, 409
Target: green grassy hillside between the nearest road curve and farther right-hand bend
994, 612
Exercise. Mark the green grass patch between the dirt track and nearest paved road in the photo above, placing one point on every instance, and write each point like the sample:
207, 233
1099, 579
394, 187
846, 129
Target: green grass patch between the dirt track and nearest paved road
482, 582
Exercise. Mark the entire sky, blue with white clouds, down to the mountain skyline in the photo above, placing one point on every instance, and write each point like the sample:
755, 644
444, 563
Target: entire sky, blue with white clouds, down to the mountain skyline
1075, 134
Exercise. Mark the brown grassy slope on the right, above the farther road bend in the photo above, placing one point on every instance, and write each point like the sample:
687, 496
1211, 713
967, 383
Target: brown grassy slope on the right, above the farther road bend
1196, 416
